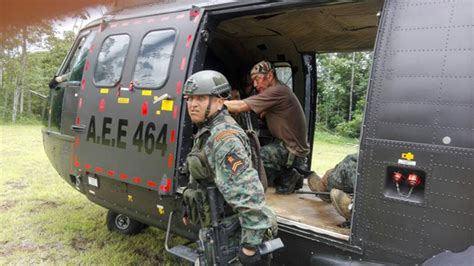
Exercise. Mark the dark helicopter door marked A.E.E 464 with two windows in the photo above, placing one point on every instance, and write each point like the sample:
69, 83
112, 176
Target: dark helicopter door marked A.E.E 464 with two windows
129, 104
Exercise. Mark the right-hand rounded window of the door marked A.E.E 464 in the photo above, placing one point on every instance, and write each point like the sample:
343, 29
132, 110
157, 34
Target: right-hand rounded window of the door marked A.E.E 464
154, 59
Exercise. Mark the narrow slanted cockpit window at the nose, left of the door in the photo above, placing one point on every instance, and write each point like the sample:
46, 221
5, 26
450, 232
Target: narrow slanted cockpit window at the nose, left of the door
75, 67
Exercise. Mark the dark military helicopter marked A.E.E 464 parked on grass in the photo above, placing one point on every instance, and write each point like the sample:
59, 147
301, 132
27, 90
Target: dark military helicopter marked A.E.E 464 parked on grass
116, 128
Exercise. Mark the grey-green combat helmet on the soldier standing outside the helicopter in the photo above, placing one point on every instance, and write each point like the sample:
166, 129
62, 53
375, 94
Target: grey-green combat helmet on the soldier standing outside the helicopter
207, 82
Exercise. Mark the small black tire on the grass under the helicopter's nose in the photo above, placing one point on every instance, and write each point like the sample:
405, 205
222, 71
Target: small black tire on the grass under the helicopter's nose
123, 224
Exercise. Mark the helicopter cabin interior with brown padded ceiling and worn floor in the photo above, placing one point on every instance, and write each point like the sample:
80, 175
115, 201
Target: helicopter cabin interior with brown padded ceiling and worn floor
239, 39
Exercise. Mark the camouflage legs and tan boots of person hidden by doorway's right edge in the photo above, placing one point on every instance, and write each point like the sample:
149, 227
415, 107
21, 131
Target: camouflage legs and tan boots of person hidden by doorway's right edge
339, 181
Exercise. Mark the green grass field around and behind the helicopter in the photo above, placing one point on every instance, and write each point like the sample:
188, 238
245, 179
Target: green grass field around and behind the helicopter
45, 221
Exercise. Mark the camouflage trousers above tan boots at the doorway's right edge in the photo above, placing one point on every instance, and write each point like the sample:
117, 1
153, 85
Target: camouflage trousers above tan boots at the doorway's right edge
343, 176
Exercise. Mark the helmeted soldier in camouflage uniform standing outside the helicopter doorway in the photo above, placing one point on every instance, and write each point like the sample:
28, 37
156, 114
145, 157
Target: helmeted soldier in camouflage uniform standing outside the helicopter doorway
221, 157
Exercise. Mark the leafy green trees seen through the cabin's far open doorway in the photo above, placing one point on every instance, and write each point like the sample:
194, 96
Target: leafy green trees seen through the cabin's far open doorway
336, 109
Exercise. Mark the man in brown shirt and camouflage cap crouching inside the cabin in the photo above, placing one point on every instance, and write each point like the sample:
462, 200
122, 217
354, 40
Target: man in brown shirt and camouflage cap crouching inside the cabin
286, 122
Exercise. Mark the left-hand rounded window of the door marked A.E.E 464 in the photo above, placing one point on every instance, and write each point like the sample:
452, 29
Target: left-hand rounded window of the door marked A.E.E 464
108, 69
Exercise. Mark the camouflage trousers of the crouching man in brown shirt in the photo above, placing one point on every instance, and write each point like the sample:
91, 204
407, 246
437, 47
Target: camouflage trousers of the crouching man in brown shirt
275, 157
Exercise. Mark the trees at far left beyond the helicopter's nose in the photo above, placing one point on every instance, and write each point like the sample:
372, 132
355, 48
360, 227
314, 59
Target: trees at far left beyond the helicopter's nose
29, 58
